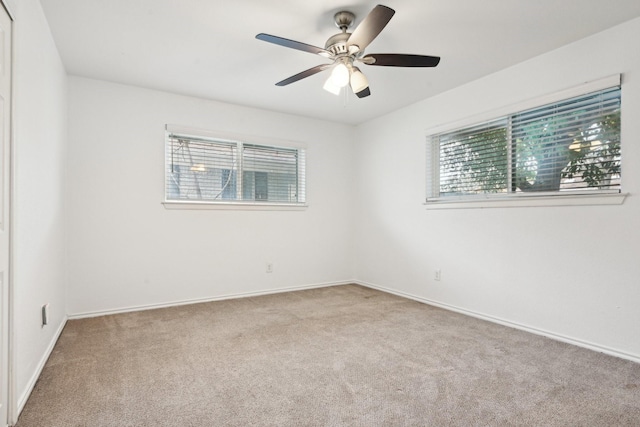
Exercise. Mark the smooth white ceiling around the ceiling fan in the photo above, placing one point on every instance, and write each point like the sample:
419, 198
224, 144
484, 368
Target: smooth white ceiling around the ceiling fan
207, 48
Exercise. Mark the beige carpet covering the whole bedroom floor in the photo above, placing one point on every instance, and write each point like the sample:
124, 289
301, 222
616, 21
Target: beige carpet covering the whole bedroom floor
339, 356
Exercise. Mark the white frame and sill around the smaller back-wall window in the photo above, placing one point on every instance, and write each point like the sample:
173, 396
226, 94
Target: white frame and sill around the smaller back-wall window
240, 140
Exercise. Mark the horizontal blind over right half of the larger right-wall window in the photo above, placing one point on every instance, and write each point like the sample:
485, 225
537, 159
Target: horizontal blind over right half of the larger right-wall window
569, 145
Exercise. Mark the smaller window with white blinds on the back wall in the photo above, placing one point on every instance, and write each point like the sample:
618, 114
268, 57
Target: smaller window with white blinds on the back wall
208, 169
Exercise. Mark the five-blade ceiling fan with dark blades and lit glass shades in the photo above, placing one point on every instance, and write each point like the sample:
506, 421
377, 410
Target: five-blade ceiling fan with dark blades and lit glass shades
344, 49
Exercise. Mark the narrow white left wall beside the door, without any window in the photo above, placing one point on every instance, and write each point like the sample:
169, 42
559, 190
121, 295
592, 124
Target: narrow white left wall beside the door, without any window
39, 213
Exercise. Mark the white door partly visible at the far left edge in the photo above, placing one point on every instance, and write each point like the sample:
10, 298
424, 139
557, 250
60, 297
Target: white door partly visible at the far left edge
5, 189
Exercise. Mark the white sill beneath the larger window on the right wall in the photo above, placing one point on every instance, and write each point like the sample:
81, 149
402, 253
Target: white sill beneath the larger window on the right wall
527, 201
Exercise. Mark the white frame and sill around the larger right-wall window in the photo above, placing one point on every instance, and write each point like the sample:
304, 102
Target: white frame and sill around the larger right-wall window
510, 200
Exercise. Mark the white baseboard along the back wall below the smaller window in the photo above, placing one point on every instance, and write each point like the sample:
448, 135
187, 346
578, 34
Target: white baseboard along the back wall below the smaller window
201, 300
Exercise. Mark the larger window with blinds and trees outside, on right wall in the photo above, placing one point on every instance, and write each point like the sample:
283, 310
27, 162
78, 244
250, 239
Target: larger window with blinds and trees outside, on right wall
570, 146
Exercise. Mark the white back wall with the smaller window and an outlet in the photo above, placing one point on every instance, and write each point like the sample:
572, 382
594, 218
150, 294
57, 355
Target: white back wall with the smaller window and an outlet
126, 250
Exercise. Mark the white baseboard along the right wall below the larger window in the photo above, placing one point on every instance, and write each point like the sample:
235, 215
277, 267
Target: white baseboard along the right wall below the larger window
504, 322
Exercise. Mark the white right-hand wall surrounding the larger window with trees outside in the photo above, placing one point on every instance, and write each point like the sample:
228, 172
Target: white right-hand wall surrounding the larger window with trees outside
573, 272
